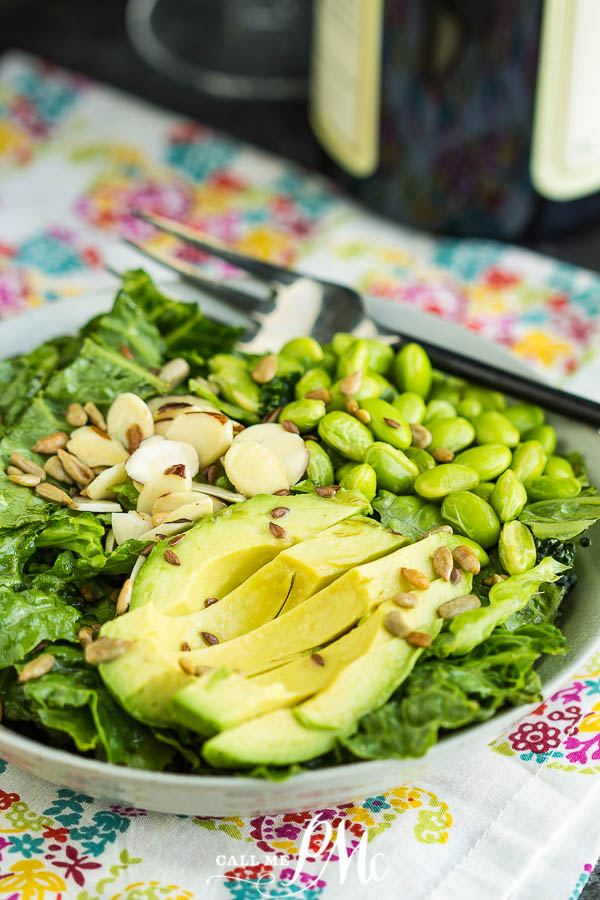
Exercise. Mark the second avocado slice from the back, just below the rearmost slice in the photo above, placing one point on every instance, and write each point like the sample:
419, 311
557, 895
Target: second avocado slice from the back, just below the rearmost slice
293, 576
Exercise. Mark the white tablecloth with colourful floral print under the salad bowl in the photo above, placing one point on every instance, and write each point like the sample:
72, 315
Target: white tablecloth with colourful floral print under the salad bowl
516, 819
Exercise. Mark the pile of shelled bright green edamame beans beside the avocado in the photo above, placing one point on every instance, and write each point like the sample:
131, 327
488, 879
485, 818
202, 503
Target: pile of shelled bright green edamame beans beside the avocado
378, 420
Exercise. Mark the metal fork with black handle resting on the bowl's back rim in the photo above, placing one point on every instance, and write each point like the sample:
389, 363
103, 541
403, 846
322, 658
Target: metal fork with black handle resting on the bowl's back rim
289, 304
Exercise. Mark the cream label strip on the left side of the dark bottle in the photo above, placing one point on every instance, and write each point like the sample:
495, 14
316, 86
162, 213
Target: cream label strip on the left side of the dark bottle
345, 81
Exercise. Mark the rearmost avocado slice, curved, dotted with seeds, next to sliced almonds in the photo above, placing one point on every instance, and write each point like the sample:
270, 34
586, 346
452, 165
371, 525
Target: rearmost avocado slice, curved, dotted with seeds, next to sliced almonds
223, 550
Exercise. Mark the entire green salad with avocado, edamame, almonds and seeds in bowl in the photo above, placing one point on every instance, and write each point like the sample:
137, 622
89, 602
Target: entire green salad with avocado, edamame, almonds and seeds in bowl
216, 561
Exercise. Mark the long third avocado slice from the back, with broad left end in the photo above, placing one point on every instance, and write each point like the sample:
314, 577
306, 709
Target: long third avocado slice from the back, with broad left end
146, 677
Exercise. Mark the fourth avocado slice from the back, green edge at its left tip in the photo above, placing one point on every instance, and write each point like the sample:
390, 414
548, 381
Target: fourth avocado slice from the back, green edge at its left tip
222, 699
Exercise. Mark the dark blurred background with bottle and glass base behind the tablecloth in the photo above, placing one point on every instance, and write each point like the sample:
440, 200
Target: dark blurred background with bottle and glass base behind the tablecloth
423, 109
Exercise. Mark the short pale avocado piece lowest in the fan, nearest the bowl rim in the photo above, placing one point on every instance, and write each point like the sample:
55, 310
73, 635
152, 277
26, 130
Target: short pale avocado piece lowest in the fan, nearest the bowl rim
282, 740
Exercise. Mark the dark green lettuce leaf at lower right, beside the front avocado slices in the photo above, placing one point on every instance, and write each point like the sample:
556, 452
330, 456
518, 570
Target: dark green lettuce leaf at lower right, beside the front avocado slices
444, 694
